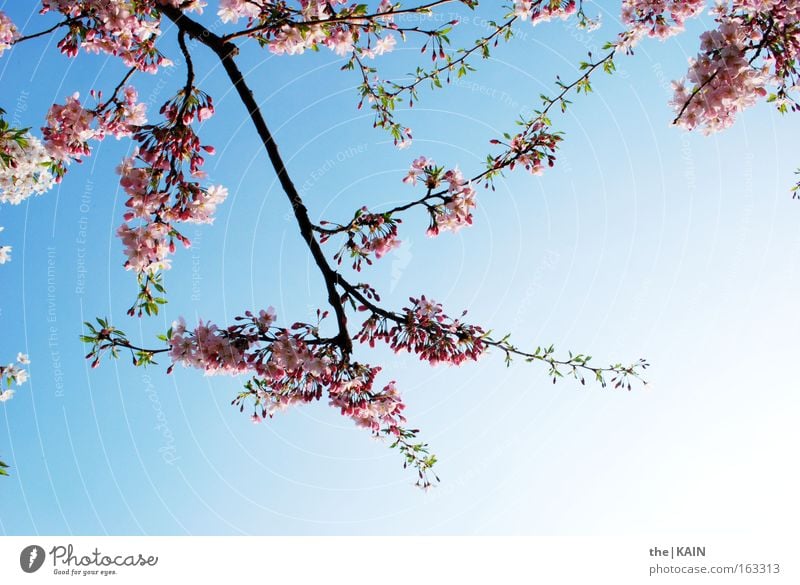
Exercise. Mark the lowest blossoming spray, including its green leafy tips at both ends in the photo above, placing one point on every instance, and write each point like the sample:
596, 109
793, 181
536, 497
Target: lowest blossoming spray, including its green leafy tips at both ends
288, 367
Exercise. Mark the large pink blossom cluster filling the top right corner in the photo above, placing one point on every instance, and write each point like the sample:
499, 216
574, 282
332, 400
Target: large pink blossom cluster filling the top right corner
727, 75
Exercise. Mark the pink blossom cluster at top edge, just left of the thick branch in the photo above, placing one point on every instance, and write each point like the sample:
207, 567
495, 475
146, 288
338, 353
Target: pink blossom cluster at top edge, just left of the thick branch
127, 29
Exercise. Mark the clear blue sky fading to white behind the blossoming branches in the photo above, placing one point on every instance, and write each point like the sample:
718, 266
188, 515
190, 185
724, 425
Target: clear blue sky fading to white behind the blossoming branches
643, 241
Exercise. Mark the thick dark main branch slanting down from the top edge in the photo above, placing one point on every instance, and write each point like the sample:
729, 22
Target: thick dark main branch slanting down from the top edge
226, 52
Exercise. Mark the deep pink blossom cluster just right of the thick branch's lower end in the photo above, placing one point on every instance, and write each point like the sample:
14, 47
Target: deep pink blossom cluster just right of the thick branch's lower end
424, 329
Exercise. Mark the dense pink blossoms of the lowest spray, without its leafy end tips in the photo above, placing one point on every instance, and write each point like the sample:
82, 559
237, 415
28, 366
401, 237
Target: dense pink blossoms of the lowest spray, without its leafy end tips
289, 367
